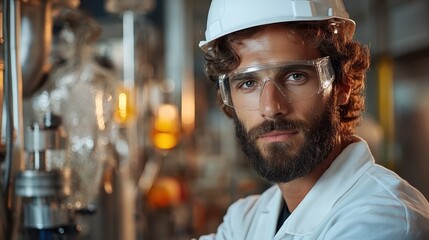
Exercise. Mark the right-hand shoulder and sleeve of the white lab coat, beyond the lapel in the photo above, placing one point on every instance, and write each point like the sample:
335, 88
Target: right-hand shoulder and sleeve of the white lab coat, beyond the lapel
381, 205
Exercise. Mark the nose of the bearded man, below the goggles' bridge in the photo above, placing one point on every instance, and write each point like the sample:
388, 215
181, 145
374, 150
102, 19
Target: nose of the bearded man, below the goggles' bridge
272, 101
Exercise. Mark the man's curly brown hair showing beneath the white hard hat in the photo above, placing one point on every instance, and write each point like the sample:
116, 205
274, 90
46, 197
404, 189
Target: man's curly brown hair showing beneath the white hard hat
349, 58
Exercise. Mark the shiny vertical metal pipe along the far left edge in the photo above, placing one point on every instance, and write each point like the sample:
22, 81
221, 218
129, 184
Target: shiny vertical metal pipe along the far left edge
13, 110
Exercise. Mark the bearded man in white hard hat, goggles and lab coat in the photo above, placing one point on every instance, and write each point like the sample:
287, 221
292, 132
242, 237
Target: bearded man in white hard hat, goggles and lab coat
292, 79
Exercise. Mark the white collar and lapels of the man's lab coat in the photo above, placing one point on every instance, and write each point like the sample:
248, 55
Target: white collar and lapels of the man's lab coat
354, 160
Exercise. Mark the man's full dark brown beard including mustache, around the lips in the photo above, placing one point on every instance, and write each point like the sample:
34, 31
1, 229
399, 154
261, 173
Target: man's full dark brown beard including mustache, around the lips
279, 164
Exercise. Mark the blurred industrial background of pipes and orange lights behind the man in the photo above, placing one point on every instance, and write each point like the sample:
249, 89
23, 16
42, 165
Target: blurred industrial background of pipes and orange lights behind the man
110, 129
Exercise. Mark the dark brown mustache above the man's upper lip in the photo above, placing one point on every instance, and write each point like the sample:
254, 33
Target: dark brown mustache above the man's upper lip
278, 124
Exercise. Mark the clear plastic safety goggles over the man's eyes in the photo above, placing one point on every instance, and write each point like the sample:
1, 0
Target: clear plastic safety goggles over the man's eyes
296, 81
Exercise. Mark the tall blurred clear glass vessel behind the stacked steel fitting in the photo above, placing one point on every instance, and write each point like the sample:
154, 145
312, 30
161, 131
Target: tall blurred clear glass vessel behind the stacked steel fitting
81, 91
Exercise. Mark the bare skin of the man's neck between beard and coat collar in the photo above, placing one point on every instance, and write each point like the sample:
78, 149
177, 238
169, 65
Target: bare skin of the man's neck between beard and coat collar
295, 190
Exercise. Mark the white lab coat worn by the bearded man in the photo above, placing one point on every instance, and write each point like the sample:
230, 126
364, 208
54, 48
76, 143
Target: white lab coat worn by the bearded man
354, 199
